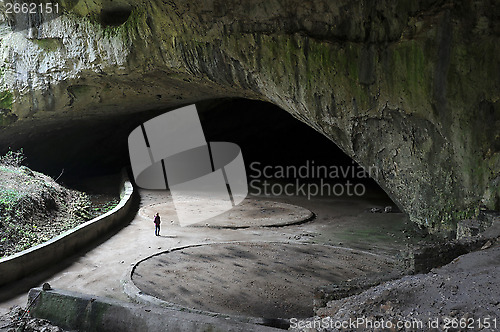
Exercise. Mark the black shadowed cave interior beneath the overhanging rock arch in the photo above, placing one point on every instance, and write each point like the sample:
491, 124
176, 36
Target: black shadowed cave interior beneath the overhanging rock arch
95, 146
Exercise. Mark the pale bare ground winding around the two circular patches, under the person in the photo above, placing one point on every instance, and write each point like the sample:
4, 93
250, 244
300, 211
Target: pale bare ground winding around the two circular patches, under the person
99, 270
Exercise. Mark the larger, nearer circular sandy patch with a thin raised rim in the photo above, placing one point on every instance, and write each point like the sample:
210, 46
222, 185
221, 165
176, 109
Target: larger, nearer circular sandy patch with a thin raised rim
269, 280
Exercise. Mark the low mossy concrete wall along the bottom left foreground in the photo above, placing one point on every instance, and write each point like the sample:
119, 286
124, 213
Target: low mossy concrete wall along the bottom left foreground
74, 311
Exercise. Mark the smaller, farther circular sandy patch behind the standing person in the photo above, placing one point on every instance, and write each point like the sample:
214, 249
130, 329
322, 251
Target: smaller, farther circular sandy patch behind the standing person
252, 212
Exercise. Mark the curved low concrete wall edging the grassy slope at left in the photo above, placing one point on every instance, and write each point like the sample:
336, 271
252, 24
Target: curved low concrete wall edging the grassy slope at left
27, 261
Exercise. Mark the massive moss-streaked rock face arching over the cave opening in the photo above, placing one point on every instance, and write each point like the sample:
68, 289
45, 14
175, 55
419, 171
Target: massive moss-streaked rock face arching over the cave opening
411, 88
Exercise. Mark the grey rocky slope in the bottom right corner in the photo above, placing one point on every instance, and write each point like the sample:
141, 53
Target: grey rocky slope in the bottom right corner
466, 291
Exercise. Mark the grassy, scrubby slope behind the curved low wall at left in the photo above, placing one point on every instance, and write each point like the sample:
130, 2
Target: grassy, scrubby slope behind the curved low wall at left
34, 208
